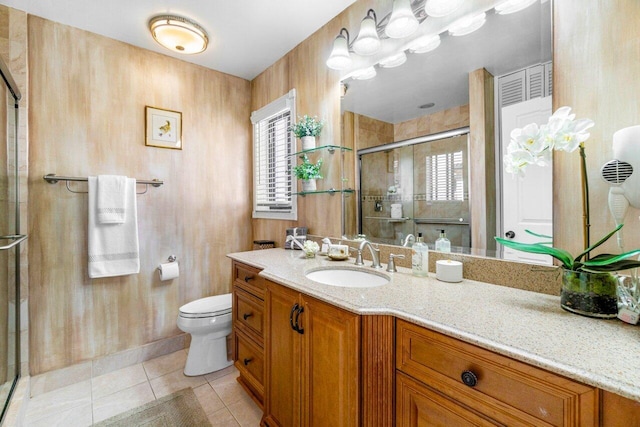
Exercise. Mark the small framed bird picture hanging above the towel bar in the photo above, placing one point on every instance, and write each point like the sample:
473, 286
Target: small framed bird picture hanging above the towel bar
163, 128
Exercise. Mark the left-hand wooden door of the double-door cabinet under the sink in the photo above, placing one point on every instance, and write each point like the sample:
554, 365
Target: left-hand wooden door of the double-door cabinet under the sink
282, 354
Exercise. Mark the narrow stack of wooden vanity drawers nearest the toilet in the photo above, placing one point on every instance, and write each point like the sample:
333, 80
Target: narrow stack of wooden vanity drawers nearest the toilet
248, 329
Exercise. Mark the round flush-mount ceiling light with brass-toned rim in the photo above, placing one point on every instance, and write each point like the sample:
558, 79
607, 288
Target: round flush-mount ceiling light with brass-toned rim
178, 34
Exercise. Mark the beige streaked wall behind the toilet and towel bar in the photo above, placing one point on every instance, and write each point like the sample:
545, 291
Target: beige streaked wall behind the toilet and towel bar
88, 95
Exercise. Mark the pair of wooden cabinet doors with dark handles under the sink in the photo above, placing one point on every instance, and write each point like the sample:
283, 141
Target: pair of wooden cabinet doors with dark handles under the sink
312, 361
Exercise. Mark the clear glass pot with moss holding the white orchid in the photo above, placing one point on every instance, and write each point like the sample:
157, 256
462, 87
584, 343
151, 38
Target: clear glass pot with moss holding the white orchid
589, 294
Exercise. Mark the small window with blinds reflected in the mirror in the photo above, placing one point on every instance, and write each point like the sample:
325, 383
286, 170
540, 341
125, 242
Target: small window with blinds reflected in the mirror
445, 180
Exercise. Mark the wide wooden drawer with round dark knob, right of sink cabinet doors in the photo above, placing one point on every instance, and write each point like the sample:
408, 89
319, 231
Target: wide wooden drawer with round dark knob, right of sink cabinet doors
506, 390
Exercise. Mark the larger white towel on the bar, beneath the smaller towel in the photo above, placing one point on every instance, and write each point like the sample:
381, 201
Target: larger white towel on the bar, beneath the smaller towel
113, 248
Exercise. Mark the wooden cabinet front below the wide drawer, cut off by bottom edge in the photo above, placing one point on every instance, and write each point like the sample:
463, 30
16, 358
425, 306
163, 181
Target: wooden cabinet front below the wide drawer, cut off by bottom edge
419, 405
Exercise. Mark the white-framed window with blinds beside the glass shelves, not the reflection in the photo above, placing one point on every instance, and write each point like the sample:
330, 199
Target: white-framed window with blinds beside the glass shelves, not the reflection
273, 144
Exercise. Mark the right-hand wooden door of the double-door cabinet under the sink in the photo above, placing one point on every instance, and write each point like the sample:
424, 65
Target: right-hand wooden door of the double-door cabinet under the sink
330, 375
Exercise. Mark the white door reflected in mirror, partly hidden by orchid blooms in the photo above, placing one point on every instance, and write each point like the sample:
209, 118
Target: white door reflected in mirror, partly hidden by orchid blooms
527, 201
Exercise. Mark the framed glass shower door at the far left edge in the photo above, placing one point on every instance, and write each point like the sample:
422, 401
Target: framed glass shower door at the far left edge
10, 239
